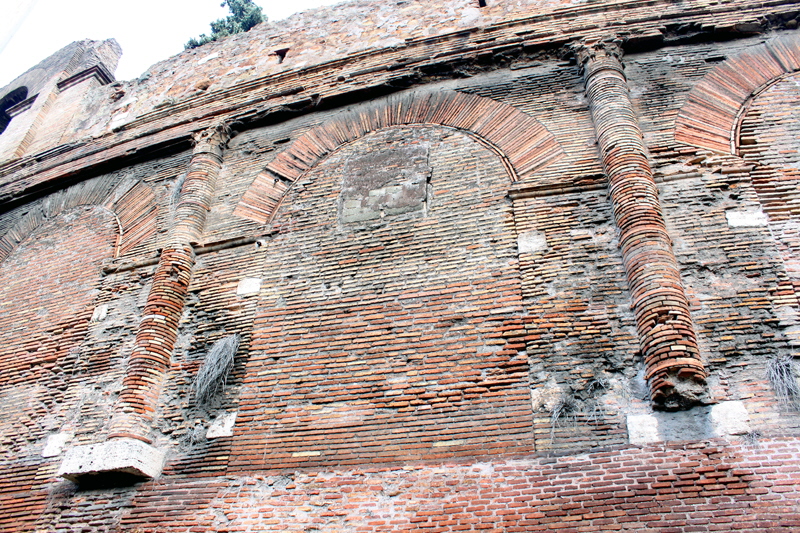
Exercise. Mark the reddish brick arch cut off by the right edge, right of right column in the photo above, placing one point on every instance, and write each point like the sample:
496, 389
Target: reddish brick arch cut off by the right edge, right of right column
714, 108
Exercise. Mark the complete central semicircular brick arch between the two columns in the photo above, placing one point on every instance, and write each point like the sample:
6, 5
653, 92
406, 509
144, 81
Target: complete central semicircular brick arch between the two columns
522, 142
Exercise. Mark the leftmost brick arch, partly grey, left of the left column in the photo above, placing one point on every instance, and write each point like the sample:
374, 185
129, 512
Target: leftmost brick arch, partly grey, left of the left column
132, 204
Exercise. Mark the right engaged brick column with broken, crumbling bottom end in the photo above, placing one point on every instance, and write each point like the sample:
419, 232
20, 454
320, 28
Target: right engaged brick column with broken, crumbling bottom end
672, 363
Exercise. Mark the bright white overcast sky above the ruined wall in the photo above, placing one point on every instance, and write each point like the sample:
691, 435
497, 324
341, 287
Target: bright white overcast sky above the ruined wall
147, 30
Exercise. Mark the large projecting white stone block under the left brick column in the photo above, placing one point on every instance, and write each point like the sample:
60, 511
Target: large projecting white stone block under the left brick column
122, 456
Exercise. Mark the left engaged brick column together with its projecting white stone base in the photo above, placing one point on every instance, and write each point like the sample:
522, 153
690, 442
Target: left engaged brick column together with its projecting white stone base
127, 452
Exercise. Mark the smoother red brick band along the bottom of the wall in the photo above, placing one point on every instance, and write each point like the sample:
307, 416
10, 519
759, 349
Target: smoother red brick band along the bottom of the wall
700, 487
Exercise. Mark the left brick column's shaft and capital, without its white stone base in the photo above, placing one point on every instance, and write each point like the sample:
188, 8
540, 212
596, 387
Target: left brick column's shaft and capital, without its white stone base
155, 338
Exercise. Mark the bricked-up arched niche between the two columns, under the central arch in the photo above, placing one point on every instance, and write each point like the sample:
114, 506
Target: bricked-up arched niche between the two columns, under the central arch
373, 329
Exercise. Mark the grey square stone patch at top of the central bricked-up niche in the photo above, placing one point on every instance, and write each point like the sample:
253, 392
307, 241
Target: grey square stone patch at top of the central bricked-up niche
388, 182
